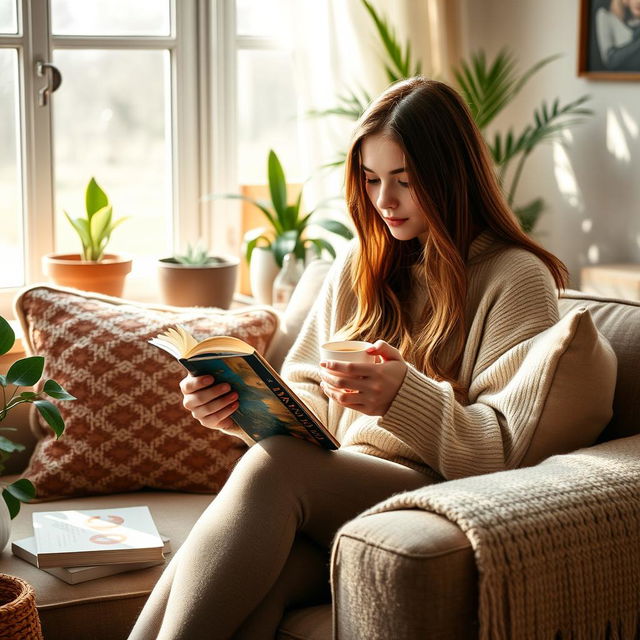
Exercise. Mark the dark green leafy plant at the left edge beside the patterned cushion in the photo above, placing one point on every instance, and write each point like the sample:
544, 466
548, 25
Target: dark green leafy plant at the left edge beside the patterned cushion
25, 372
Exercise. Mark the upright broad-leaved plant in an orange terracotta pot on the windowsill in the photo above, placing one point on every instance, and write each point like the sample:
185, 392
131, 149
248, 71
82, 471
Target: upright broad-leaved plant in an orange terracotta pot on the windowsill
93, 270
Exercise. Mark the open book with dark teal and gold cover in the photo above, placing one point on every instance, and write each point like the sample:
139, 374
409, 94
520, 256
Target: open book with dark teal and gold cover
267, 406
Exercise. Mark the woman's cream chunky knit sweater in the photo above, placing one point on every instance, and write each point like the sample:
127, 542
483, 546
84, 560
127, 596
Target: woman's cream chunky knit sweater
511, 297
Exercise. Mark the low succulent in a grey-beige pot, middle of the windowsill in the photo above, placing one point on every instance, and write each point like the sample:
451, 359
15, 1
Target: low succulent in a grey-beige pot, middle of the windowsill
198, 279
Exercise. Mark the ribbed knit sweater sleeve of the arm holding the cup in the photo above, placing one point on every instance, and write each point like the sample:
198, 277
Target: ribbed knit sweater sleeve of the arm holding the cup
456, 439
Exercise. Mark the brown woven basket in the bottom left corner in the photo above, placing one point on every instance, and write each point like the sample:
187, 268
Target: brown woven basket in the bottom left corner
18, 614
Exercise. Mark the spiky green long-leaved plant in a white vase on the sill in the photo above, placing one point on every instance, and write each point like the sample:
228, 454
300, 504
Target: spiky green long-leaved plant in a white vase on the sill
288, 230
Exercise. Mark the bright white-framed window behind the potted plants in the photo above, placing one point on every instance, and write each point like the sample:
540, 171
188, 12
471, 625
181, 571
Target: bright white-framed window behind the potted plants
162, 101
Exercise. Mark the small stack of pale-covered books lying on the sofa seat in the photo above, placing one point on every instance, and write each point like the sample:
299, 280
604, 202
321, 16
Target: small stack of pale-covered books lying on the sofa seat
80, 545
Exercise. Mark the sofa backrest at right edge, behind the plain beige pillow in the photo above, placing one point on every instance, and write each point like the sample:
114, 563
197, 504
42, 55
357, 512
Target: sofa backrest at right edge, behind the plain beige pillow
619, 322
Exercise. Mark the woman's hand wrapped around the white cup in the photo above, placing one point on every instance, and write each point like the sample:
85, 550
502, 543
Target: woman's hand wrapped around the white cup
368, 388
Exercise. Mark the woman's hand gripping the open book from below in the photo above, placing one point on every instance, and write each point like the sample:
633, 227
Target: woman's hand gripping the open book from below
211, 404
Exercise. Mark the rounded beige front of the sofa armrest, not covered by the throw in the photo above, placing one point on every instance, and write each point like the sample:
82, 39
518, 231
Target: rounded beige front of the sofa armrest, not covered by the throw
403, 575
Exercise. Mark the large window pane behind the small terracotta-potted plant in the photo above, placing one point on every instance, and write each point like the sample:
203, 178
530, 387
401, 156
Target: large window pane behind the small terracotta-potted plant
111, 122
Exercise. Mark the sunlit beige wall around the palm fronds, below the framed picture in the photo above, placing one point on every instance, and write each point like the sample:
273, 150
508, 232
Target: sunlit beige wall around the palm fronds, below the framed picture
591, 183
